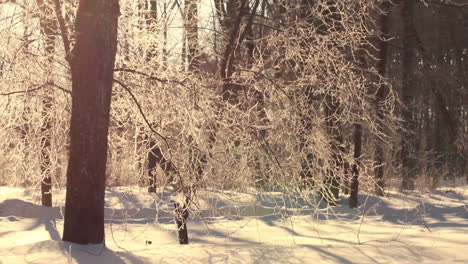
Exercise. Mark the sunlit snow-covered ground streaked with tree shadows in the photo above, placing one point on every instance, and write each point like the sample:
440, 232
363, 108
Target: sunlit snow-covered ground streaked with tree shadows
400, 228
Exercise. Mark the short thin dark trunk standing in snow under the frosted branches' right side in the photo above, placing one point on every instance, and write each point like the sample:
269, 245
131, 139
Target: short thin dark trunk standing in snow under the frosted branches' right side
353, 199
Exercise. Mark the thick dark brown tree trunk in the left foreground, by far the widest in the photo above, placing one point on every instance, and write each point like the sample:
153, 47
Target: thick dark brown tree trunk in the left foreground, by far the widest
92, 77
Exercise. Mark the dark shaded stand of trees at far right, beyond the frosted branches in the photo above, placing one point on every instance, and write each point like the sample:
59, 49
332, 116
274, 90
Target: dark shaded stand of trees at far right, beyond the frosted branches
421, 50
